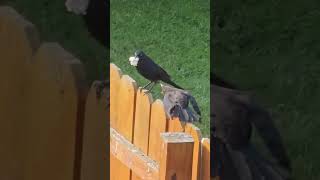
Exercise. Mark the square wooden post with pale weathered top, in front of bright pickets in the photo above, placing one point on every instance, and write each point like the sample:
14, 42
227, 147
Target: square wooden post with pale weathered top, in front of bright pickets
176, 156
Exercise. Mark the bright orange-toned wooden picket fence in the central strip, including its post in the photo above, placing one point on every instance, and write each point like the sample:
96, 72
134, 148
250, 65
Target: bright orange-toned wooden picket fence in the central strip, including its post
146, 145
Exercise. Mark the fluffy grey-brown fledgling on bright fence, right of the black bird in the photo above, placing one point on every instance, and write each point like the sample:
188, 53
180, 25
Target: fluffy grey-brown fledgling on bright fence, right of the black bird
176, 104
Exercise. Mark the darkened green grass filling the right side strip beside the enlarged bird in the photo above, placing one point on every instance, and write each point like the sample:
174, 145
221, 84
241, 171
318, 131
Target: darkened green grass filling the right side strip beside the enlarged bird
273, 49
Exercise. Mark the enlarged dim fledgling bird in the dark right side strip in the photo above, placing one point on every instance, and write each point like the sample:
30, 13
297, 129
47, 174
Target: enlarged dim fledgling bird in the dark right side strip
234, 114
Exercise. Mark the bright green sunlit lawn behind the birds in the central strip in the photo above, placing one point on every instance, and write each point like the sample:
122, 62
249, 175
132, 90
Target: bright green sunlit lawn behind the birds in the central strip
175, 34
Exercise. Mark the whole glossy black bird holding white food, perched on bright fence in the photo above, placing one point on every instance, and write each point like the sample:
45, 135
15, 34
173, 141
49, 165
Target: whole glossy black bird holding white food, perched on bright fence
150, 70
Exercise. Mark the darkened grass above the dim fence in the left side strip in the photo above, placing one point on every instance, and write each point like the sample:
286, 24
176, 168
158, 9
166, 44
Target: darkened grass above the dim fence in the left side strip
55, 24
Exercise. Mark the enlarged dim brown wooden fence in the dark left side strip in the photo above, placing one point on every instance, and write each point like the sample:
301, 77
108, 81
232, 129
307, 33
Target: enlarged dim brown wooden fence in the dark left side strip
52, 125
